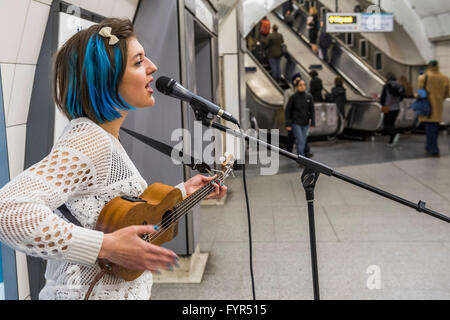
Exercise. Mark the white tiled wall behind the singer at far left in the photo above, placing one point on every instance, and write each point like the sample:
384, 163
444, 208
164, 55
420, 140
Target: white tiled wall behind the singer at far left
22, 27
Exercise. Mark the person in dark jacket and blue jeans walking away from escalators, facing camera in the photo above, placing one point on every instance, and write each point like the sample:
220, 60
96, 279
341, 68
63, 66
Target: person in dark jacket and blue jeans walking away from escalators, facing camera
299, 115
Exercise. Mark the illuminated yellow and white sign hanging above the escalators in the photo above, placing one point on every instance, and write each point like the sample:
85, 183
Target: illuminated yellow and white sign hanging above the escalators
359, 22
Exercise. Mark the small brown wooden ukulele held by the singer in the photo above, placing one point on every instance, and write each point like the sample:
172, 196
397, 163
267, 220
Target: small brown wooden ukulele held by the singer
160, 205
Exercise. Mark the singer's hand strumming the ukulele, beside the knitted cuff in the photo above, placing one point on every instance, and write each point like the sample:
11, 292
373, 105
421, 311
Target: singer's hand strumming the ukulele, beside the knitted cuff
126, 248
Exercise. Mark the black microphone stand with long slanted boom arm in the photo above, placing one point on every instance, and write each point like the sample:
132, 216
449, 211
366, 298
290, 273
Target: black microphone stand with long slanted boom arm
308, 179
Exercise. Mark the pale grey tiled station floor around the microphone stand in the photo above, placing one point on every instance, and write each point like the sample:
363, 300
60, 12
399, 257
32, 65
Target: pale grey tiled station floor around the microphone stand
357, 231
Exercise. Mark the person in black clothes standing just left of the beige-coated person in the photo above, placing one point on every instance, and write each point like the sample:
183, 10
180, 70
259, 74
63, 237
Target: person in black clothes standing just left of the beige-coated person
390, 99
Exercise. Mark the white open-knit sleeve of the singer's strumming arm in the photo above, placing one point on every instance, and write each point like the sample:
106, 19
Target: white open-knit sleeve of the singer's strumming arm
79, 162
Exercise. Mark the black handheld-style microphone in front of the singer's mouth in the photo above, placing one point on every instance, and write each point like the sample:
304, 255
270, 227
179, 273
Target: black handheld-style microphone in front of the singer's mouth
172, 88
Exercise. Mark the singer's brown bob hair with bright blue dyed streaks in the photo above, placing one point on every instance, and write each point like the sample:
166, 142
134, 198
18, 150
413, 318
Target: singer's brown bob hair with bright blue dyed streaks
88, 72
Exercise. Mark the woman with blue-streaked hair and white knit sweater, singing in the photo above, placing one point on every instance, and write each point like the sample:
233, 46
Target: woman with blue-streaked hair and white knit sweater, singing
100, 74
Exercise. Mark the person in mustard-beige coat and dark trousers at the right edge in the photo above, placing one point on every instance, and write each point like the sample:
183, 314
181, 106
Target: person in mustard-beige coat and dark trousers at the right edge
437, 86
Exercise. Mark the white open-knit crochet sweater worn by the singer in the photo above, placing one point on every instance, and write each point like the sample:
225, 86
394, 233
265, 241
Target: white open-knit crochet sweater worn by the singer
86, 168
